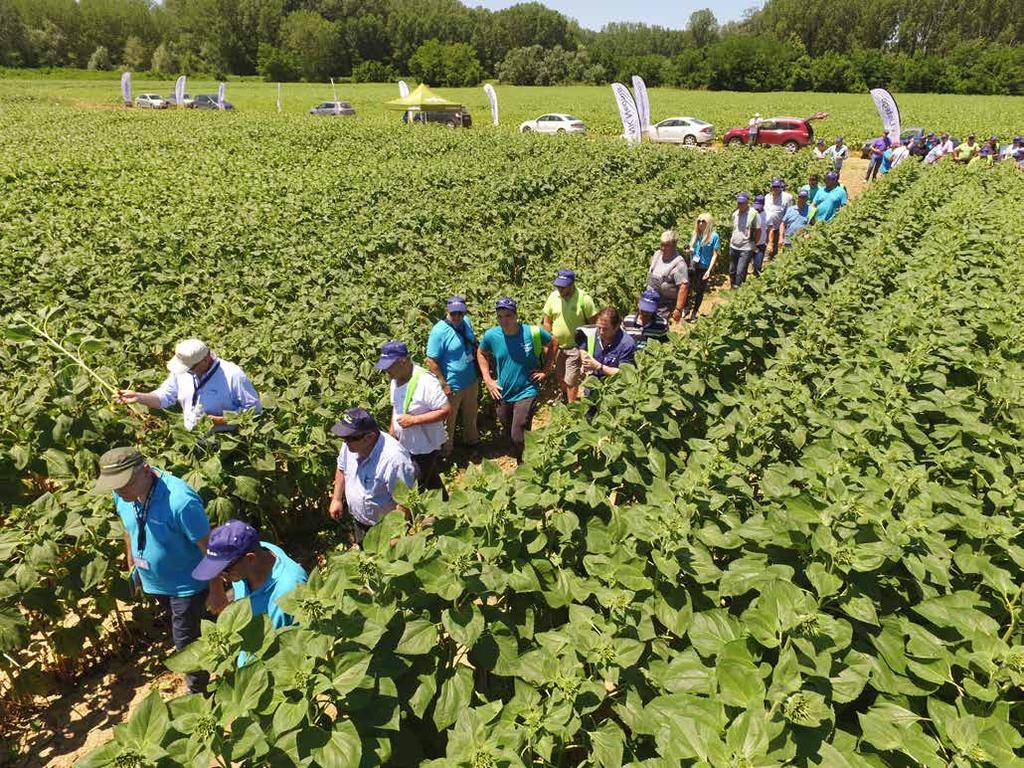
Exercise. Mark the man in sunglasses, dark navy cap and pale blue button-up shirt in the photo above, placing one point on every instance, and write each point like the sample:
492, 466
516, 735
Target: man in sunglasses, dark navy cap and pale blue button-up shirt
371, 464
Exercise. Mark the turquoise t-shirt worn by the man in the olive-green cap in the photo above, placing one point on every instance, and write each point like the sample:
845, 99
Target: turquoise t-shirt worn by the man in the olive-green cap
176, 523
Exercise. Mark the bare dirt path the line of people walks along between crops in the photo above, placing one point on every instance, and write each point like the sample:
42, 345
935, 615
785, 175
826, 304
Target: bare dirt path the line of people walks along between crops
65, 728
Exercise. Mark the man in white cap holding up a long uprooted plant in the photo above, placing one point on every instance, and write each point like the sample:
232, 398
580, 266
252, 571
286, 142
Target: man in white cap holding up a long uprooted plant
200, 382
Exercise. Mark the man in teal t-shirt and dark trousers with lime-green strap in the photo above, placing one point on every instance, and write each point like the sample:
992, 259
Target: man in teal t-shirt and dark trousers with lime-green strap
523, 355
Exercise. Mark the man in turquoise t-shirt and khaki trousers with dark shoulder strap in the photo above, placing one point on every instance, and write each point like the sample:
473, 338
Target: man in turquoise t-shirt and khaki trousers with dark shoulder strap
452, 358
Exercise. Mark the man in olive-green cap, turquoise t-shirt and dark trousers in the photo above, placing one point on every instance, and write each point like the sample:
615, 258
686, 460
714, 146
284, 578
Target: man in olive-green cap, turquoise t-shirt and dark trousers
166, 533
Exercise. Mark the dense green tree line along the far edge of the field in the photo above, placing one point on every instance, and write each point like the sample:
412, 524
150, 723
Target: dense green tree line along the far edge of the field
847, 46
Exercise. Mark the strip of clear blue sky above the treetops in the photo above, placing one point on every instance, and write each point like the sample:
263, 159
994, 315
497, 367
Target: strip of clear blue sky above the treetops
595, 14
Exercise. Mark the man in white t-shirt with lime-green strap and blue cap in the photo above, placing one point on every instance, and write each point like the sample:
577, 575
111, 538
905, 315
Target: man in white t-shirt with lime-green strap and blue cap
419, 412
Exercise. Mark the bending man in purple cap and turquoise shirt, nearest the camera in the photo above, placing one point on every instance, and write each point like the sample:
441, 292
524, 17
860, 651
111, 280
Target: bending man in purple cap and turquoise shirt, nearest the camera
258, 570
